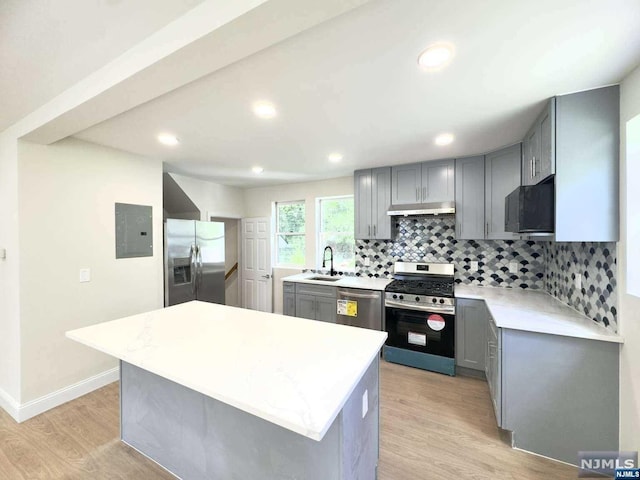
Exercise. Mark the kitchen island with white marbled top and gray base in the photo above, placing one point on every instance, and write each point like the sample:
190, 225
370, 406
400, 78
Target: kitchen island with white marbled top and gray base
210, 391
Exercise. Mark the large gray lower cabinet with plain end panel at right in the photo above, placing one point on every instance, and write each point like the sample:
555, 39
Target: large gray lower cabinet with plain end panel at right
558, 395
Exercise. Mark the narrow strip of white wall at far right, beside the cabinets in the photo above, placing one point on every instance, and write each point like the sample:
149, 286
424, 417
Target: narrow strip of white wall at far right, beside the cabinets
629, 304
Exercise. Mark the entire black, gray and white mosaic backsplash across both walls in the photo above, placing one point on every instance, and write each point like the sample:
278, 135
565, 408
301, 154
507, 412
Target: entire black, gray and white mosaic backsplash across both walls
541, 265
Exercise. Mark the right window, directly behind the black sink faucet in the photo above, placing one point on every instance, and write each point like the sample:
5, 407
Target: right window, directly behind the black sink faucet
335, 229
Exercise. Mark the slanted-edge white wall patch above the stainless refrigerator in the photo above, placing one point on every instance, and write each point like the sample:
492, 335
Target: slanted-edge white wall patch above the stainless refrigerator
212, 199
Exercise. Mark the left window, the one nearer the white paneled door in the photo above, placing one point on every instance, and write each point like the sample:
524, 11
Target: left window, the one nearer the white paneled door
290, 248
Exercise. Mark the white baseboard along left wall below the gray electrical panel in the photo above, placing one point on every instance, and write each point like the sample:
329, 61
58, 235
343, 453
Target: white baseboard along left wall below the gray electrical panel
28, 410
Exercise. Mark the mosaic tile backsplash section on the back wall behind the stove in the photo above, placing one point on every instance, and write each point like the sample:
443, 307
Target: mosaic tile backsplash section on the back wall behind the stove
432, 239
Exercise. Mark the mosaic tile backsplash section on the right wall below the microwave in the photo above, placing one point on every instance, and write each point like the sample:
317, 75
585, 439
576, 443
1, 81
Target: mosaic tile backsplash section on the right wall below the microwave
597, 263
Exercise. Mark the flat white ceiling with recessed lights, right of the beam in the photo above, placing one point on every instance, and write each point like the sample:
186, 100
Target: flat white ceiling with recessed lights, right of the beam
352, 85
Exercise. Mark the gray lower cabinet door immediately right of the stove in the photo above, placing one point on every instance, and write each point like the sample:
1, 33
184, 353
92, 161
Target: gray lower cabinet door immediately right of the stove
471, 333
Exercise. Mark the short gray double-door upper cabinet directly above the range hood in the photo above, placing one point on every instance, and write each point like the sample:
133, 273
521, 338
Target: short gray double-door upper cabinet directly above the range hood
423, 182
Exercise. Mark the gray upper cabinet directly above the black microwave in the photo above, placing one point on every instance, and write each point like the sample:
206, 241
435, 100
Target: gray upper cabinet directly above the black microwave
538, 159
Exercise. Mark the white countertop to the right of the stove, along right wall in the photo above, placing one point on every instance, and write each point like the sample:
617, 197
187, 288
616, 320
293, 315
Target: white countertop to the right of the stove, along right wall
536, 311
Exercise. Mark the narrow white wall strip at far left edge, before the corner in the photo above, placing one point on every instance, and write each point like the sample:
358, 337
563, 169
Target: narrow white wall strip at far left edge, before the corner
9, 276
